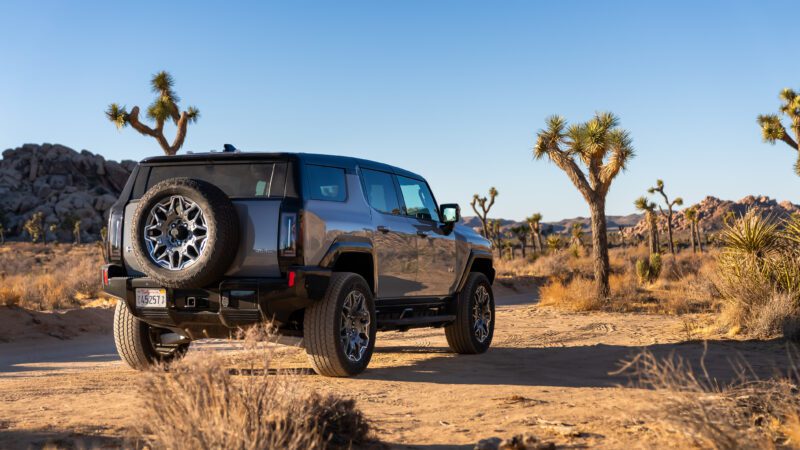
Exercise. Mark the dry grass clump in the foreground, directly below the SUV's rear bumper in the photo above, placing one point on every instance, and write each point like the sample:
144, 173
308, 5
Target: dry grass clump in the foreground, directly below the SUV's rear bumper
200, 403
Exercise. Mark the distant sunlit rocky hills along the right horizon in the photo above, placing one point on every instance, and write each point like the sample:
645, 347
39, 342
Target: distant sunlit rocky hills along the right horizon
711, 212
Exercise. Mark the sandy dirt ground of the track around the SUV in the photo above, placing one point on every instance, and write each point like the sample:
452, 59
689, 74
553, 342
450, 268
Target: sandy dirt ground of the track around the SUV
547, 374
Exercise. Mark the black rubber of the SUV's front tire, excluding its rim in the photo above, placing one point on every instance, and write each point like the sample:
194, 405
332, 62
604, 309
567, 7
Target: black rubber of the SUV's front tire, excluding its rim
461, 335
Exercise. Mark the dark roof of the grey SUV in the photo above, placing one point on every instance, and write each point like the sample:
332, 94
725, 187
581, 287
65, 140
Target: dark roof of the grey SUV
347, 162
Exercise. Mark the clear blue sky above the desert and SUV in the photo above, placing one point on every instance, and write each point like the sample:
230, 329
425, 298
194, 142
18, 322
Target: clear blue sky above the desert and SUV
453, 90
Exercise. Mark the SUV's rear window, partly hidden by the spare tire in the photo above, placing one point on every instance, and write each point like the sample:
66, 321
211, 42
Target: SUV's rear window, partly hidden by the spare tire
236, 180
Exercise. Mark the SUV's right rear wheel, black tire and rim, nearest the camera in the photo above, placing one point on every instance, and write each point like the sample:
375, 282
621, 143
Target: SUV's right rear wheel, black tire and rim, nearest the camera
339, 330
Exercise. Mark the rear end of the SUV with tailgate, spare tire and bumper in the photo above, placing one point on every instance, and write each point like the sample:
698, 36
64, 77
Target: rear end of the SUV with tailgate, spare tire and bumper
199, 245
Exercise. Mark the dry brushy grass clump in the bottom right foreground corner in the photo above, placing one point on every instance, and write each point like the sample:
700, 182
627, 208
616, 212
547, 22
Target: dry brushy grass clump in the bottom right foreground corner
744, 414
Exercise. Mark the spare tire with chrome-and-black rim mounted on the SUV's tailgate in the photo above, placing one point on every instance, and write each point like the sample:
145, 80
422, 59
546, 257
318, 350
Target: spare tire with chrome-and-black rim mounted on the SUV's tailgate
185, 233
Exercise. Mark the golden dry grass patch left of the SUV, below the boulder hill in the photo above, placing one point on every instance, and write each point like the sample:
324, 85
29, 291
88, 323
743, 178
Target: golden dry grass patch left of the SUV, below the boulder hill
58, 276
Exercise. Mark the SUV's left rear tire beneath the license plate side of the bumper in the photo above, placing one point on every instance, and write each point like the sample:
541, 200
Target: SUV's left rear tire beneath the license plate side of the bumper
134, 341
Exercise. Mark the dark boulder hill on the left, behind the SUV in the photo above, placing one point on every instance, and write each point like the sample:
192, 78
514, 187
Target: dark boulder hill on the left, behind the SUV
63, 184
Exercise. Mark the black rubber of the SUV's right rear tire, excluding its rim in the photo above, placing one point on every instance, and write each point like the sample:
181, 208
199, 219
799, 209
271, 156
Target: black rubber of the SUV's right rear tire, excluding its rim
323, 322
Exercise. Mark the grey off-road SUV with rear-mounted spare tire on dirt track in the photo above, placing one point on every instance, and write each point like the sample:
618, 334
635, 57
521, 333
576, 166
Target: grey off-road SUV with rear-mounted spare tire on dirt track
328, 249
